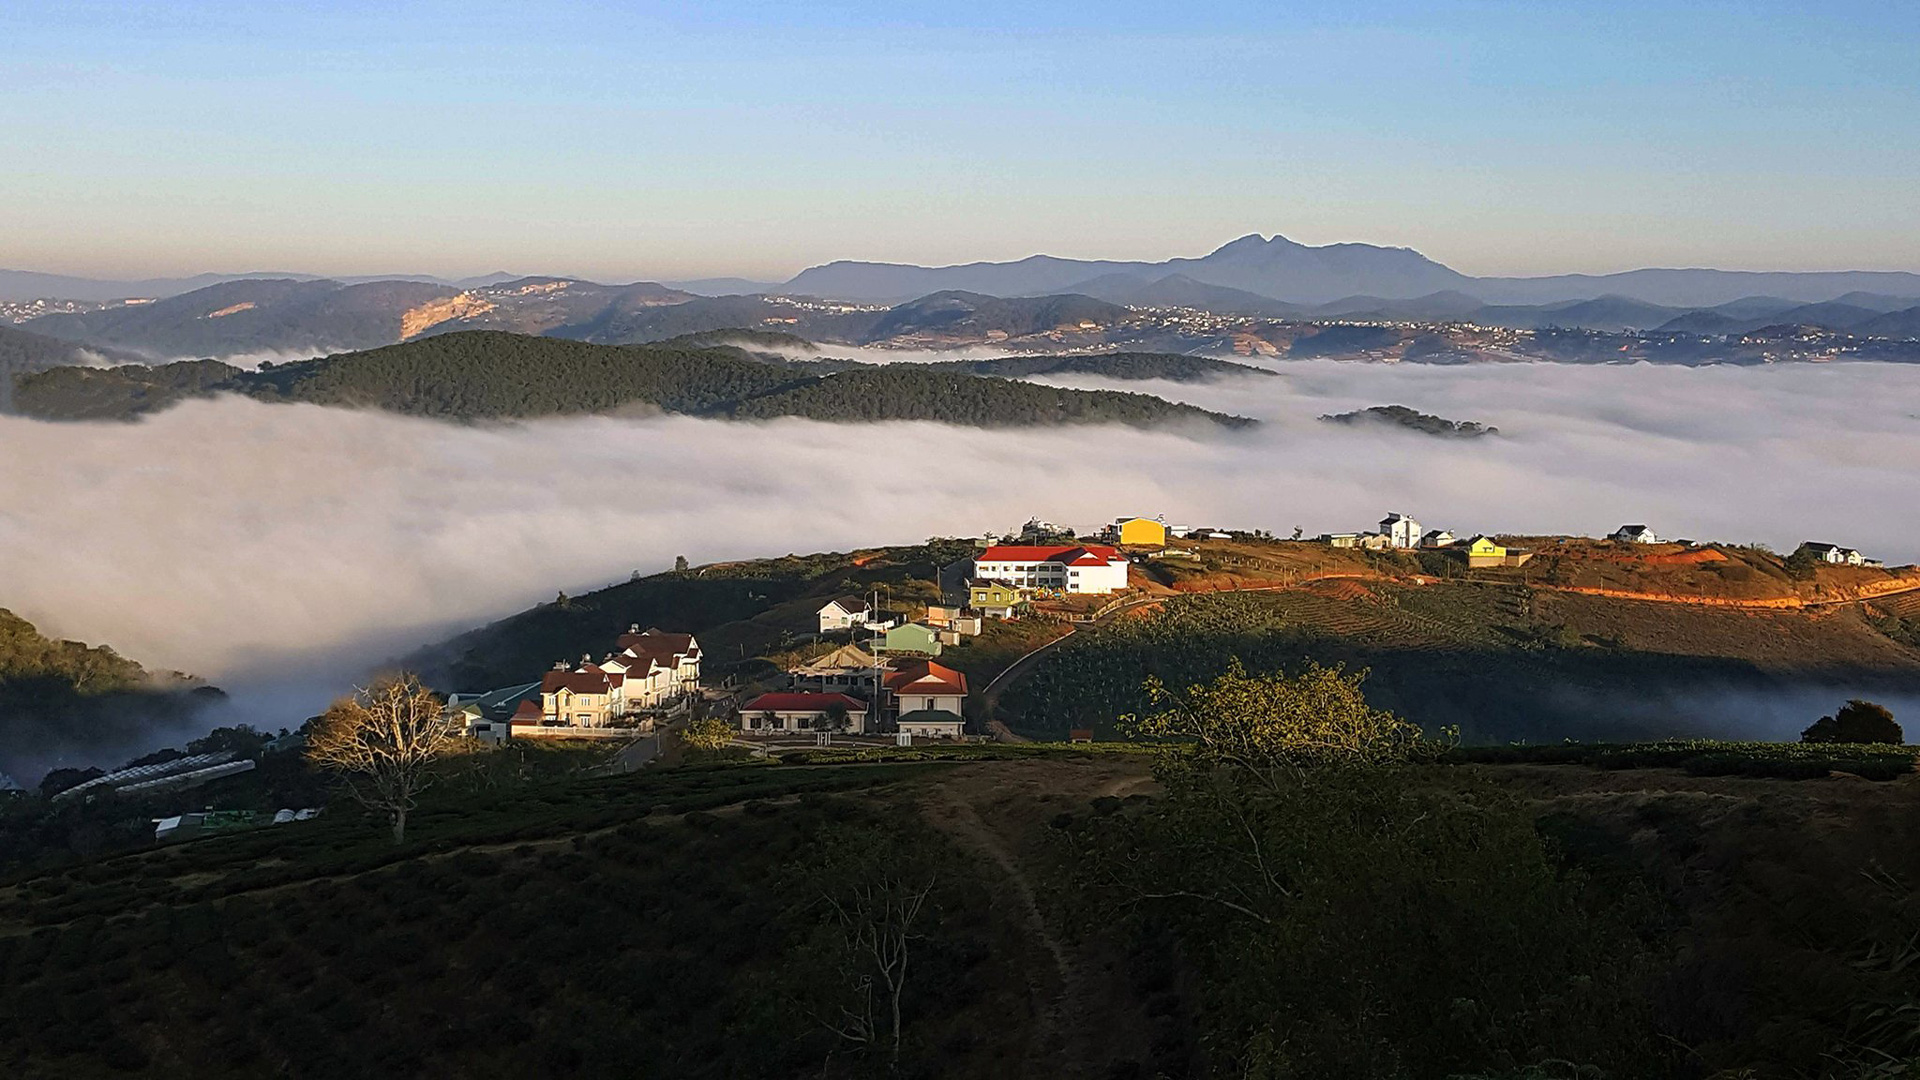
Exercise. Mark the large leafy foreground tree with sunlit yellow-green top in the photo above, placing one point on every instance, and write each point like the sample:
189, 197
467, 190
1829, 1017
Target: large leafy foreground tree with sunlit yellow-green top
1351, 908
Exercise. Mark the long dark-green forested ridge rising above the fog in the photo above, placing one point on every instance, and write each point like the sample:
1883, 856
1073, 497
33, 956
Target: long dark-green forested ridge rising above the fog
500, 376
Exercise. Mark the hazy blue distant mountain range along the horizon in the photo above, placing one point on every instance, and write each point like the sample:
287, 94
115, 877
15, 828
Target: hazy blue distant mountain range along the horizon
1038, 305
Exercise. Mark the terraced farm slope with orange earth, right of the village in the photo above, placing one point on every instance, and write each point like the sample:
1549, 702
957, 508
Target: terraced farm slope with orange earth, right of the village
1500, 662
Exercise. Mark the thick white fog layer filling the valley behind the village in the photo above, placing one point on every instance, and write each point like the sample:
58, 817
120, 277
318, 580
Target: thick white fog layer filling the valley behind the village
291, 547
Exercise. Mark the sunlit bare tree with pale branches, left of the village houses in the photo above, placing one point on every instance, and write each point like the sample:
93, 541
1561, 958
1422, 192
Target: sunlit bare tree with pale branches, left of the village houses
383, 745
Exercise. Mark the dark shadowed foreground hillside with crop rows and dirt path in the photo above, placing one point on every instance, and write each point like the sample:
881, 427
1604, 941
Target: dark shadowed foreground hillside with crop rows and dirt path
1433, 923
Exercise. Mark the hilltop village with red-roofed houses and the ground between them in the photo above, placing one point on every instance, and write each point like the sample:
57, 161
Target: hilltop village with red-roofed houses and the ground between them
875, 668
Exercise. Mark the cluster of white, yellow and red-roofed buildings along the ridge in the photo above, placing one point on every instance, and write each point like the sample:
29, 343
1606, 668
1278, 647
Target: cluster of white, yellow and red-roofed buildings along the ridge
886, 679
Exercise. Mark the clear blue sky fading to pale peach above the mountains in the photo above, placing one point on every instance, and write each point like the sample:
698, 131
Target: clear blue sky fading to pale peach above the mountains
675, 141
